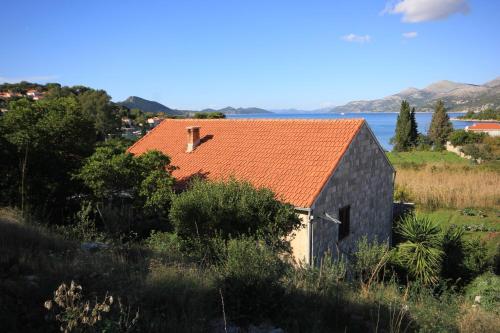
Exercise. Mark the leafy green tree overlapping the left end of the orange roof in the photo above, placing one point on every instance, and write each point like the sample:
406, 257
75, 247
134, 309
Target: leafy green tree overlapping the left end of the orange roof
129, 192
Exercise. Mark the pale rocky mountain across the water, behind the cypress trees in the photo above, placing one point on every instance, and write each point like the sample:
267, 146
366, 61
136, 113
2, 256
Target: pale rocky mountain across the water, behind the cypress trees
456, 96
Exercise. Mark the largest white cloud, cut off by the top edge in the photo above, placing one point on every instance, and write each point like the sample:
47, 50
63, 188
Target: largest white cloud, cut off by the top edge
414, 11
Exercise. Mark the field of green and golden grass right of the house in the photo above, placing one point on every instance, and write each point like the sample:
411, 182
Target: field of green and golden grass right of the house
444, 180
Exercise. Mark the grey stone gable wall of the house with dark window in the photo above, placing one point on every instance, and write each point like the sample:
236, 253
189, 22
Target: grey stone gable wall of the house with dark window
364, 180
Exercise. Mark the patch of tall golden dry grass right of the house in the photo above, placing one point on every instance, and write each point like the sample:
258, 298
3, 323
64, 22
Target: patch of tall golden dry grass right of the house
451, 186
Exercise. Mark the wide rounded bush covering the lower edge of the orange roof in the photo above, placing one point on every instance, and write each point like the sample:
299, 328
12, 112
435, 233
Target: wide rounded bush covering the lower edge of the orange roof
232, 208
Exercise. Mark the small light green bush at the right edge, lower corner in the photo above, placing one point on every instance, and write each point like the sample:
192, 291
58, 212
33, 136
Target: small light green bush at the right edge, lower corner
488, 287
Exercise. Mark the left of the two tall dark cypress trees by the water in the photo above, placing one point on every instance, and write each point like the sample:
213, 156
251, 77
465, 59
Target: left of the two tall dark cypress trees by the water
406, 129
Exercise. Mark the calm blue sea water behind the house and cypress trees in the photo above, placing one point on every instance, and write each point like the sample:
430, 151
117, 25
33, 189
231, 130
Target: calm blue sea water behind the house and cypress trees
382, 124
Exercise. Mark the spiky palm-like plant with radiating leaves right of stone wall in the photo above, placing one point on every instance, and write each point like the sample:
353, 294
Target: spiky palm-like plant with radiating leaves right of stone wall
420, 252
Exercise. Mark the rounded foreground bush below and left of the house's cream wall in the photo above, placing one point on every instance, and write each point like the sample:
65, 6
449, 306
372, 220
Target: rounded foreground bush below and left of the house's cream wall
249, 279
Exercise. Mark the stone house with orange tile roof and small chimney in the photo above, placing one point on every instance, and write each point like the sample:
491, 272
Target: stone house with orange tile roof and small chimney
334, 172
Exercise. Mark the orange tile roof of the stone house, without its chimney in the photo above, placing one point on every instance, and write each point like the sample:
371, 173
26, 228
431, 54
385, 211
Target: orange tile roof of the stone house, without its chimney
294, 158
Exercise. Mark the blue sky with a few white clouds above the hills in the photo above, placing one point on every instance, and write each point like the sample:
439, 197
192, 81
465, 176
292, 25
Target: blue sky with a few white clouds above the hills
265, 53
